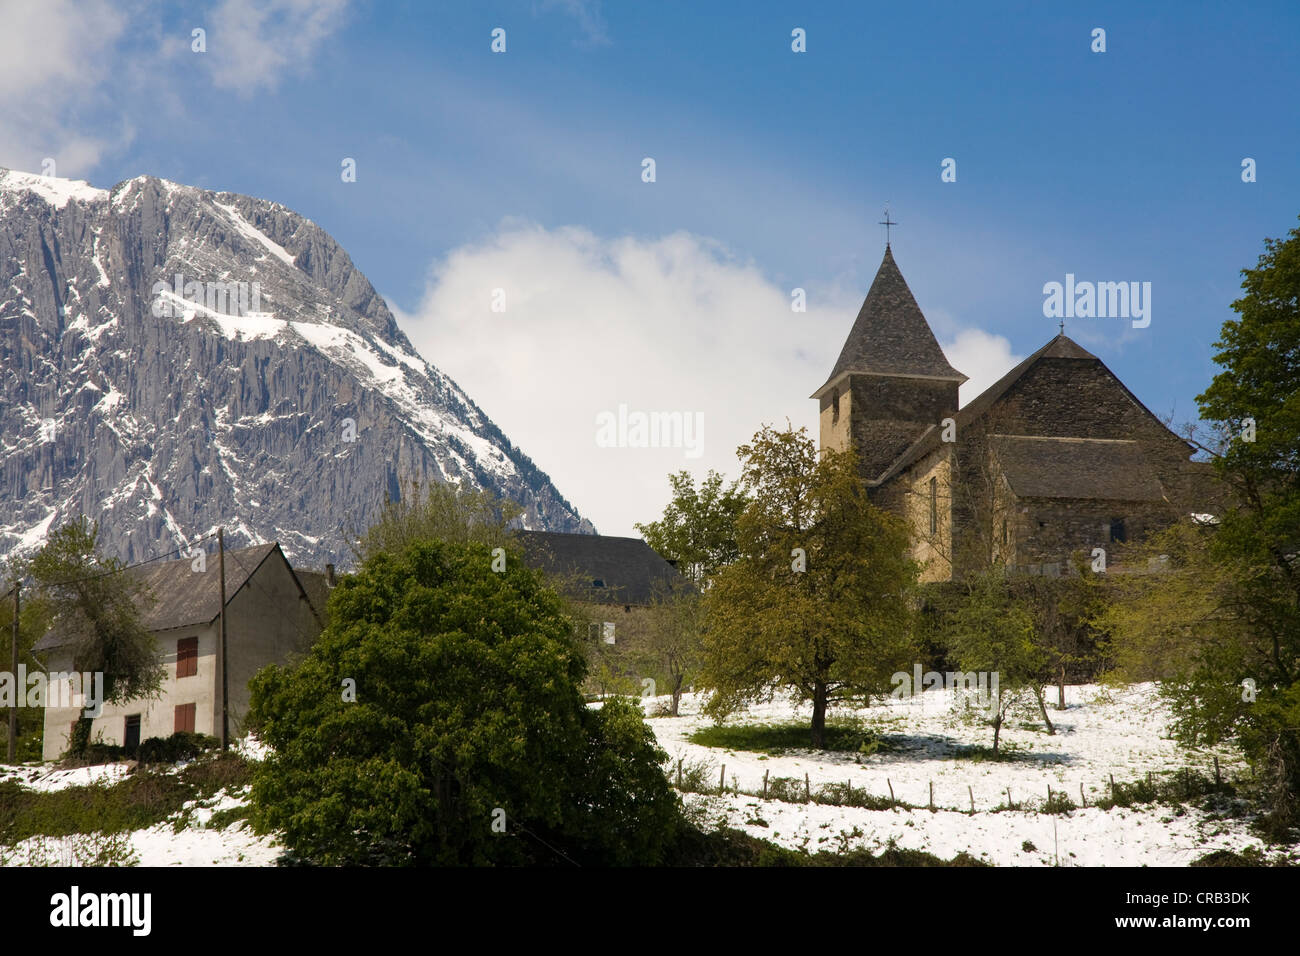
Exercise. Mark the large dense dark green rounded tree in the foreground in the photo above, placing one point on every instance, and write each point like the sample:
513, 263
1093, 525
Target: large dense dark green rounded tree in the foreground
439, 721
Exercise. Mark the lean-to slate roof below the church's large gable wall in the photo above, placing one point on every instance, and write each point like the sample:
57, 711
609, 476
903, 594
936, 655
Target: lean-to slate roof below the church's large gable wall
1097, 469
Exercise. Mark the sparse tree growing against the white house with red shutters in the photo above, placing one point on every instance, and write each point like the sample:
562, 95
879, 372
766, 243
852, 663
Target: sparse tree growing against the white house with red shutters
98, 605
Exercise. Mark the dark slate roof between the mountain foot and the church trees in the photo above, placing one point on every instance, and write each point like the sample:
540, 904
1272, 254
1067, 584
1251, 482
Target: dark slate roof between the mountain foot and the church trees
629, 570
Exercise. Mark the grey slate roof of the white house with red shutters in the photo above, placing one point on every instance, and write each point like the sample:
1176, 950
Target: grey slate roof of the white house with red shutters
184, 598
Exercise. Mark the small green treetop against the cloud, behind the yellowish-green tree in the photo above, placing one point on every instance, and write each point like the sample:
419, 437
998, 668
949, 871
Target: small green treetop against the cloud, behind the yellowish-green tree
699, 526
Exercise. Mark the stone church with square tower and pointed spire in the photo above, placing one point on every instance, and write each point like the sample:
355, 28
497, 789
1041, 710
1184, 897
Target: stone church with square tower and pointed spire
1056, 457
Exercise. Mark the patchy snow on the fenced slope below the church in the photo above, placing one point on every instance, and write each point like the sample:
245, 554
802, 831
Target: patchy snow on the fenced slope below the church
1102, 733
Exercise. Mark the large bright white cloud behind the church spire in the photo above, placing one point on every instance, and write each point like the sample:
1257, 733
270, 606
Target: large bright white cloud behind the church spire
678, 323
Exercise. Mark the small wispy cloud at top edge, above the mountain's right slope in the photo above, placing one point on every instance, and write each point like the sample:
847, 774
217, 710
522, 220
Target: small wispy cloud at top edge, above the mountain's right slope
252, 44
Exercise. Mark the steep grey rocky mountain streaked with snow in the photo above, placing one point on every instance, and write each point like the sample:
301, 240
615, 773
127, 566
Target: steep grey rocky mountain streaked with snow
175, 360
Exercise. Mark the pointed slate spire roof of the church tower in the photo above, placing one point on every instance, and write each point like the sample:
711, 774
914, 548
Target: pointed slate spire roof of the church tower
891, 335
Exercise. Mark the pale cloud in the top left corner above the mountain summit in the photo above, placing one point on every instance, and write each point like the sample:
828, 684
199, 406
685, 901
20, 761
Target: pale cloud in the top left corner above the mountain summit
53, 64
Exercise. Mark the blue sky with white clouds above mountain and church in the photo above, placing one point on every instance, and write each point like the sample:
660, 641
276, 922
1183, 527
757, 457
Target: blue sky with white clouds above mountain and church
523, 171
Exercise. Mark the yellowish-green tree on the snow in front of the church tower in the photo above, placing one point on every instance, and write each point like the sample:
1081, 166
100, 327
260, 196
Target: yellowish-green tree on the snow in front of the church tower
820, 599
